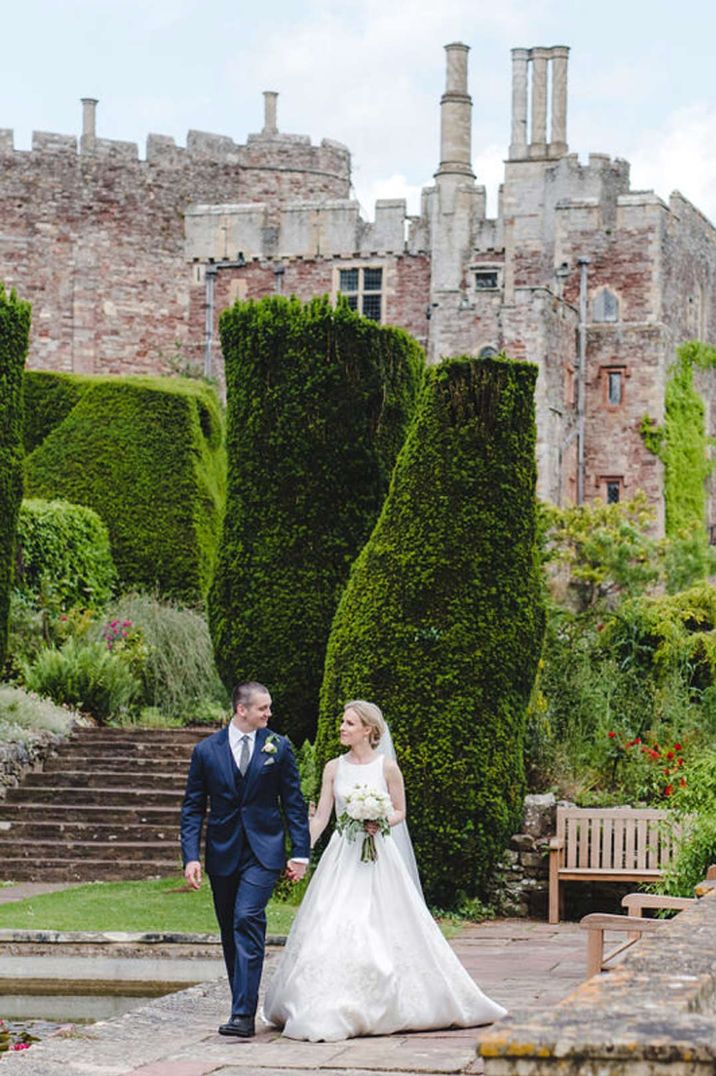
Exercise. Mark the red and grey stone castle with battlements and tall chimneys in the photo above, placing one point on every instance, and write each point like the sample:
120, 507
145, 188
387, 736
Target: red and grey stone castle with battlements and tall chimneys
128, 261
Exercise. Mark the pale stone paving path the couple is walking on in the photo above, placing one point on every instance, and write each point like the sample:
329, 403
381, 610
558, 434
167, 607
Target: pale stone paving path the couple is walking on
520, 964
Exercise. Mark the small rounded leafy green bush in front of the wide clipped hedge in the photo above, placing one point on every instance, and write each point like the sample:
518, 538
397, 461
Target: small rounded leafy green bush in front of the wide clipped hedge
64, 550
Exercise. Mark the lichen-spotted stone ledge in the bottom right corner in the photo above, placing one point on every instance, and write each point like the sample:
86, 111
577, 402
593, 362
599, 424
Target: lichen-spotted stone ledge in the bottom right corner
655, 1011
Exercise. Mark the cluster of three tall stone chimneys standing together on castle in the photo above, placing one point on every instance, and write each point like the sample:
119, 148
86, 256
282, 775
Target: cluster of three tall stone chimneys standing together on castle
541, 60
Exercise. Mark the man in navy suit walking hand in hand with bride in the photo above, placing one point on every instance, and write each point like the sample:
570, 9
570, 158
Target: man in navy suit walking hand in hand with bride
248, 775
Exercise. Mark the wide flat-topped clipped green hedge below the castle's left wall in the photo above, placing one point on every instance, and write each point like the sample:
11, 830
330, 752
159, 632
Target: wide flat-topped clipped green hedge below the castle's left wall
147, 455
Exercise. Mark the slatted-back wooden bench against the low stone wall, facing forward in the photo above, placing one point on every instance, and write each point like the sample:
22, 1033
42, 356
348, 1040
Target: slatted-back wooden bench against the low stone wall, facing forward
609, 844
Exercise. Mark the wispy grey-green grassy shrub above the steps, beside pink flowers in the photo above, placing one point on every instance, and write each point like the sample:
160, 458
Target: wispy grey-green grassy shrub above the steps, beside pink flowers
176, 666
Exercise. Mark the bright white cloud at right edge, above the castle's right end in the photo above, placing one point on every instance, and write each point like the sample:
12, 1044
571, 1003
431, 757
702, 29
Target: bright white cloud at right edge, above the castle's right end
680, 155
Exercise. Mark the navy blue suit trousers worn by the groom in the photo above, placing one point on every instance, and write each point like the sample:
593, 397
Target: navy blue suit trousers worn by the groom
241, 901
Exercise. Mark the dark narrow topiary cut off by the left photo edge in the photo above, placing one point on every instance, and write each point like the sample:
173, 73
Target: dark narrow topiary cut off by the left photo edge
15, 338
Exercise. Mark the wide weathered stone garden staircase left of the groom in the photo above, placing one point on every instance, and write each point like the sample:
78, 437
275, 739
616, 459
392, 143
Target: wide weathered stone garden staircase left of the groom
106, 808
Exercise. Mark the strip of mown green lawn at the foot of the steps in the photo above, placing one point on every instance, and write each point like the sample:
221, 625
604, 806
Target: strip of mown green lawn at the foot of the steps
135, 907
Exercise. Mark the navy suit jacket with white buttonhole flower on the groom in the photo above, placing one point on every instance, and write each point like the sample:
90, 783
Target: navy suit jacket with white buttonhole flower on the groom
246, 809
